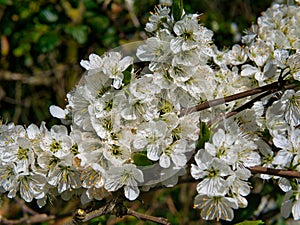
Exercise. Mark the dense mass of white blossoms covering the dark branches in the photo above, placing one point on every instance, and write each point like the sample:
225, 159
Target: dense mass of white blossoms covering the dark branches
134, 128
